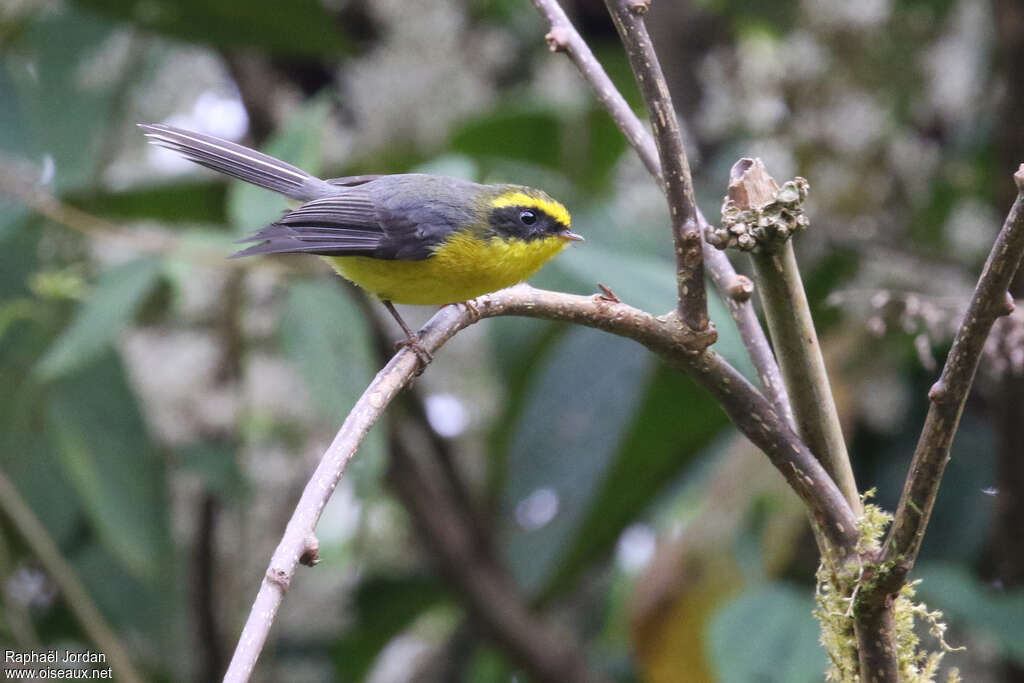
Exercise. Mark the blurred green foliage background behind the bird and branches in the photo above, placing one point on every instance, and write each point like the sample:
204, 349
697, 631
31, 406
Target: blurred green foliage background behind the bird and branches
161, 407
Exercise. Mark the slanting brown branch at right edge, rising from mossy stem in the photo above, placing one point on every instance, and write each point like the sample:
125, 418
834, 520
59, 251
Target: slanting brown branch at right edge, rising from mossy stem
948, 397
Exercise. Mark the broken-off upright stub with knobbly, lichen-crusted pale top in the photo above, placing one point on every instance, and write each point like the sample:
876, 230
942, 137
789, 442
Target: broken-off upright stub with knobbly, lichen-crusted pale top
761, 219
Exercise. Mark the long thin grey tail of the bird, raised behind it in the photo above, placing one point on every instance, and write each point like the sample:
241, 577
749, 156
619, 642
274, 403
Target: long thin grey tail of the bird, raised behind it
240, 162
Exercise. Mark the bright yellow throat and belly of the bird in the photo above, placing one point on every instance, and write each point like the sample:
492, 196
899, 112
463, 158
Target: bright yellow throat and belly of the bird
462, 269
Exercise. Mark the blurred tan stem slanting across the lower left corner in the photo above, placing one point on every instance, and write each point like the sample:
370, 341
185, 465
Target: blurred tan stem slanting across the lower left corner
75, 594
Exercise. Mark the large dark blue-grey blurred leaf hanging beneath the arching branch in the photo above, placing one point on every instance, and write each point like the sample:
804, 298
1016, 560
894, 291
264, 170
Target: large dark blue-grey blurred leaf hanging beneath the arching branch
576, 414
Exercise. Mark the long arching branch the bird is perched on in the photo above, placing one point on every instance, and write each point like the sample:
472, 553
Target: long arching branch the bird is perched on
667, 336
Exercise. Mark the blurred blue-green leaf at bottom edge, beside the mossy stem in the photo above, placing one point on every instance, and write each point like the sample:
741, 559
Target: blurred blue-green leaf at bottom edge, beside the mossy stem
765, 635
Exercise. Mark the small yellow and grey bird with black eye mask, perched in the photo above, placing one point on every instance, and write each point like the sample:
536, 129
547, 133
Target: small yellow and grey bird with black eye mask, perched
407, 239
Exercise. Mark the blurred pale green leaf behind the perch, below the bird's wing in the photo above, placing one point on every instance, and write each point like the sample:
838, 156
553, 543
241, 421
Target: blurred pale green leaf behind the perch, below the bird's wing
325, 335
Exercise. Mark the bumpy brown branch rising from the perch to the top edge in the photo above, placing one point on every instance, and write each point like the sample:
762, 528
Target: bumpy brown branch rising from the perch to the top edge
628, 18
